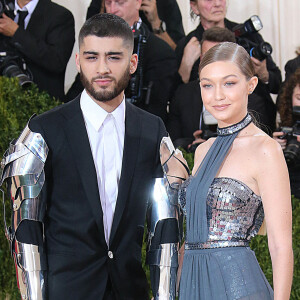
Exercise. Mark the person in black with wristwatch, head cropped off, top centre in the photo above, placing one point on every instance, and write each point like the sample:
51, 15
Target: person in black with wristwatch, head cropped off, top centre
163, 18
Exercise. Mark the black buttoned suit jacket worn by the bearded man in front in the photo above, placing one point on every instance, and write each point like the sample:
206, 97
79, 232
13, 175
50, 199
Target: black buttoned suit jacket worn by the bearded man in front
77, 254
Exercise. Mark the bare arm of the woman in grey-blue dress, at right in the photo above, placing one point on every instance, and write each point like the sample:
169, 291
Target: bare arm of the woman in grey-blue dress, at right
274, 186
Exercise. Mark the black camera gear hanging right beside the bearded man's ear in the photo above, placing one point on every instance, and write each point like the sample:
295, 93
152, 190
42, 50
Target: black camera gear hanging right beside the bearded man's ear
136, 92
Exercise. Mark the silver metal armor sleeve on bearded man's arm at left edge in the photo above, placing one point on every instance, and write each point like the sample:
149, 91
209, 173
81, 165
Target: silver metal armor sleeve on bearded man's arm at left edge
23, 172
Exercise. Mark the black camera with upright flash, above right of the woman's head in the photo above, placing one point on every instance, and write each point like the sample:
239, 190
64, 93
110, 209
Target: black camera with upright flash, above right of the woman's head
242, 31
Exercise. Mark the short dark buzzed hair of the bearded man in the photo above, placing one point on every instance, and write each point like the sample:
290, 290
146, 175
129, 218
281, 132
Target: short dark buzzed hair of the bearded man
107, 25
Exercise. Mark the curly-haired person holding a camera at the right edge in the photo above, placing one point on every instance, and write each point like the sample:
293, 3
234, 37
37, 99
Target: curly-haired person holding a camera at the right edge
288, 134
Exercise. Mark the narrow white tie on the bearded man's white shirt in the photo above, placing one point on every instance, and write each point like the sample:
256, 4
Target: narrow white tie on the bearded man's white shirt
110, 180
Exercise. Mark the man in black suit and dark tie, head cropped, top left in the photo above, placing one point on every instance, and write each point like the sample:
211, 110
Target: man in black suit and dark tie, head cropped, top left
45, 39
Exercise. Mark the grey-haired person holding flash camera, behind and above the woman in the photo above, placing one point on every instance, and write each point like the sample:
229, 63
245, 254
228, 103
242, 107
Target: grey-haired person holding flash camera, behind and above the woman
212, 13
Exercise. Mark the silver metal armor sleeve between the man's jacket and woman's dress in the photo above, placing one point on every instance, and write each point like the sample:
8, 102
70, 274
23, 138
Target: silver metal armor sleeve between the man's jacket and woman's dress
165, 206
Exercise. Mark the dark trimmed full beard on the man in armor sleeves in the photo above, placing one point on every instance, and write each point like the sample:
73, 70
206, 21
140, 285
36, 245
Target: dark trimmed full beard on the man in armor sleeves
106, 95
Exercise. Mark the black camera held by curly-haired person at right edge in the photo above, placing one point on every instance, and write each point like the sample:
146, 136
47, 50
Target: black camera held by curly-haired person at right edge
292, 150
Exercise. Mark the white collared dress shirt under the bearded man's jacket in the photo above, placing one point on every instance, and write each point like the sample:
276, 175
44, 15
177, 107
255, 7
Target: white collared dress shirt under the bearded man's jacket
94, 117
